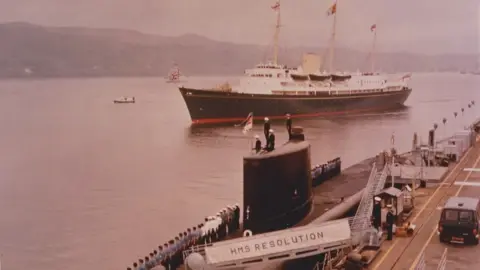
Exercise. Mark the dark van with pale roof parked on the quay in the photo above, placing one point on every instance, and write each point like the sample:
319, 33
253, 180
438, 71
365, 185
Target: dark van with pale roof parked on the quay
459, 221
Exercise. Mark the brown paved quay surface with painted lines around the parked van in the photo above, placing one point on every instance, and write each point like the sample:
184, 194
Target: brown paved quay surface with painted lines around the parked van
404, 253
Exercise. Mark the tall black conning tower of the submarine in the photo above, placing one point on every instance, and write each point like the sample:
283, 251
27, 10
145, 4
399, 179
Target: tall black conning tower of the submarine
277, 186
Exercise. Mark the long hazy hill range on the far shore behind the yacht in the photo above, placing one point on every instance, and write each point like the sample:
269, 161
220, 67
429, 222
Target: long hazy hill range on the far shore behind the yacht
78, 52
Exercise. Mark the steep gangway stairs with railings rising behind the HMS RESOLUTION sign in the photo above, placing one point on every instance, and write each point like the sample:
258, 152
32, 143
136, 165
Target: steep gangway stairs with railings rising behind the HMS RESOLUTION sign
376, 183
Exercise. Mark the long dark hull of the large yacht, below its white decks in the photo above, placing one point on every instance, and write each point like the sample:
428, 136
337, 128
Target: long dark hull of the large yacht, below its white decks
214, 106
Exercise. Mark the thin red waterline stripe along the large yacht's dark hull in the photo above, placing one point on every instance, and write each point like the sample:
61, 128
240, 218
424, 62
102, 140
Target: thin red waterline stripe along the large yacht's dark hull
306, 115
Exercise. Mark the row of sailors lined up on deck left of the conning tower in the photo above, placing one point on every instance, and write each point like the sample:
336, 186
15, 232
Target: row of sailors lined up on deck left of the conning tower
214, 228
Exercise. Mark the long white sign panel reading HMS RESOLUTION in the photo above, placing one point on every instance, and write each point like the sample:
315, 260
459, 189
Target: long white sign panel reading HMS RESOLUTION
278, 242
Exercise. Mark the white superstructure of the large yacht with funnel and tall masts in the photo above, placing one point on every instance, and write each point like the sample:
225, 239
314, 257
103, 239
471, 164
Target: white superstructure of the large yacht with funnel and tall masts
273, 78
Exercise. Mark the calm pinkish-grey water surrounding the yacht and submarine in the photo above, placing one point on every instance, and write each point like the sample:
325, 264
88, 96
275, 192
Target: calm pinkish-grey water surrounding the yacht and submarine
86, 184
